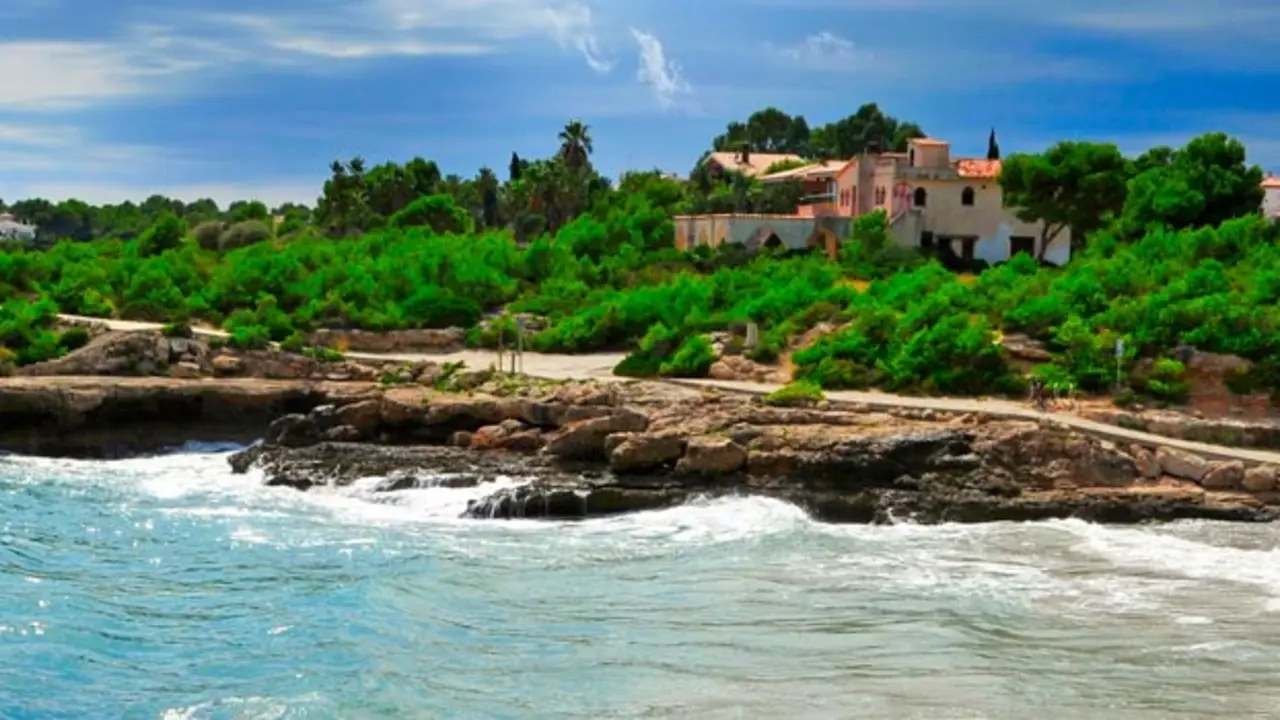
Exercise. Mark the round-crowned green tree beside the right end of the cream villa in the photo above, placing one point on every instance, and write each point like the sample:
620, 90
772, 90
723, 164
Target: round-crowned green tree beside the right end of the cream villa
1072, 185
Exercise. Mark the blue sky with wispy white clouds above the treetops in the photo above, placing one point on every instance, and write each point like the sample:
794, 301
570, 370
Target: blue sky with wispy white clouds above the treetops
231, 99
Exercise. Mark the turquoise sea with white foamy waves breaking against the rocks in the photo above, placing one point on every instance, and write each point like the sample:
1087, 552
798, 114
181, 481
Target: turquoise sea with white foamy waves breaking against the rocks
171, 589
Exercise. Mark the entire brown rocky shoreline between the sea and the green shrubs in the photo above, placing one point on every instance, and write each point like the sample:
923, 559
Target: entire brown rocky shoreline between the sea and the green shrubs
592, 449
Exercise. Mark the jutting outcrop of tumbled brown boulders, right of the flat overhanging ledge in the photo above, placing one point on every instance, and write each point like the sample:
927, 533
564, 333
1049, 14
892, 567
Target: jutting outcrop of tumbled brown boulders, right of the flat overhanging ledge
595, 450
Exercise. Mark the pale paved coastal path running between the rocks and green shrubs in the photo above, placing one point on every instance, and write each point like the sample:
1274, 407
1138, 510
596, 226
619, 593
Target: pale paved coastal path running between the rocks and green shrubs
601, 367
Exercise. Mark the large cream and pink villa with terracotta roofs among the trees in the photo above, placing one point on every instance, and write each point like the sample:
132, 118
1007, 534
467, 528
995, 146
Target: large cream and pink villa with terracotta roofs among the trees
932, 200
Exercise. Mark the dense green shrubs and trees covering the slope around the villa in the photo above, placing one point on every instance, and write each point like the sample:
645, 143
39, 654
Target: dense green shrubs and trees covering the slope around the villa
1172, 252
